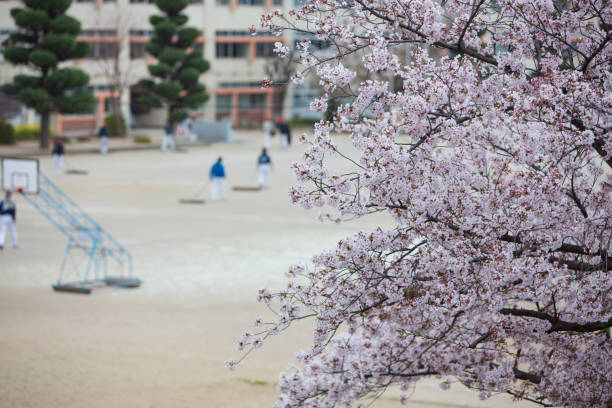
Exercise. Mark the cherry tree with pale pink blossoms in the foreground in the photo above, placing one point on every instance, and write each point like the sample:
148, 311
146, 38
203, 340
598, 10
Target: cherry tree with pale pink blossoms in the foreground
494, 162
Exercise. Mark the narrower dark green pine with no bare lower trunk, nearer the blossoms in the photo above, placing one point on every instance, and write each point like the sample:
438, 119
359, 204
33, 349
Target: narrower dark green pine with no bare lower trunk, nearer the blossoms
177, 71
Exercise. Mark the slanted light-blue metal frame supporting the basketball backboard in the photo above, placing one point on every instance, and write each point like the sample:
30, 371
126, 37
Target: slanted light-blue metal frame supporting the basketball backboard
83, 233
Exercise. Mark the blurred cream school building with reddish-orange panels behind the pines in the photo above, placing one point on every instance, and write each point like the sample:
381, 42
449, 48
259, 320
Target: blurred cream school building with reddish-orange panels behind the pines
237, 59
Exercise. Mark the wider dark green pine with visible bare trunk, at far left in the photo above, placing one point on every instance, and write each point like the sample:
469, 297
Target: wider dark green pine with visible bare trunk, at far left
47, 37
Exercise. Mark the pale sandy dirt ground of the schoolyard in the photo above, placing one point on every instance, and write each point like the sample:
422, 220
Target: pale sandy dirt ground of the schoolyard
164, 344
